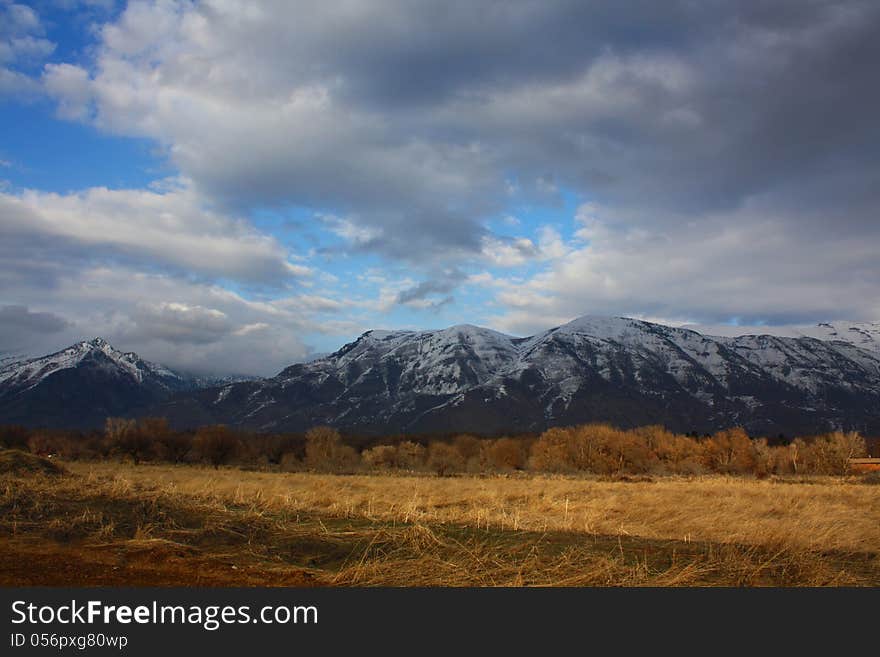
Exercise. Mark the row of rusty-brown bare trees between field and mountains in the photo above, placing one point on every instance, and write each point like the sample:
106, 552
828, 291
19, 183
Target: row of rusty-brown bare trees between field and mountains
590, 448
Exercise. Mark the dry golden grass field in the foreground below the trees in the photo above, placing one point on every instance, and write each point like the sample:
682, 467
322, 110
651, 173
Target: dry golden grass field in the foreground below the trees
106, 523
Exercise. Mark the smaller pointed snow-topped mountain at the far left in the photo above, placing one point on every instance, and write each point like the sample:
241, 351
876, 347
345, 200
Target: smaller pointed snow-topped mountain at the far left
78, 387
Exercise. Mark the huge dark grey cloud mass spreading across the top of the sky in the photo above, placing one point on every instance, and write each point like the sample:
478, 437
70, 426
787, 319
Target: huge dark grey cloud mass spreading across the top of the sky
415, 124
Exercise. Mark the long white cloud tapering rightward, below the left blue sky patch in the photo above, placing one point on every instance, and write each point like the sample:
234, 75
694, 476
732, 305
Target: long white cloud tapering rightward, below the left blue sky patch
176, 229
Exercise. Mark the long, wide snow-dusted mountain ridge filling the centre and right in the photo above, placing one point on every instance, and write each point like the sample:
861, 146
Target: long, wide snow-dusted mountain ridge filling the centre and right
625, 371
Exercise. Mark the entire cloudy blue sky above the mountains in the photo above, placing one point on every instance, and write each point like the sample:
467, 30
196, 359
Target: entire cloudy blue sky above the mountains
232, 186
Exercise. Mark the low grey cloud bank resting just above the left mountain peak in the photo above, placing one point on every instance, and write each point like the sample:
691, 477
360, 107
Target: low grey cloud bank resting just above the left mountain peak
187, 325
